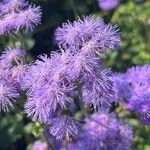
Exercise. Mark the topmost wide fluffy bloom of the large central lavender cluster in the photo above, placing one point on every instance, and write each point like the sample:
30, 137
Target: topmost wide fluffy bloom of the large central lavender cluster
90, 35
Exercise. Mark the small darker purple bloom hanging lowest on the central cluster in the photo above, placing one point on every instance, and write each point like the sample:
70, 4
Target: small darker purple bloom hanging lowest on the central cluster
65, 128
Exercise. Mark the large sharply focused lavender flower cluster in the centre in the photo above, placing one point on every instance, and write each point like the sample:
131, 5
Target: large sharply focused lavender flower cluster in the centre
53, 84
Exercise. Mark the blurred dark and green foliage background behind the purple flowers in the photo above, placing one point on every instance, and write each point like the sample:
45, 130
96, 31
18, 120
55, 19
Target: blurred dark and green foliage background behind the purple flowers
132, 17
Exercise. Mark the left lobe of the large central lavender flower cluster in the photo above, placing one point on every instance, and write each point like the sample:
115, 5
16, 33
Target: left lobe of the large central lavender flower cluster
48, 86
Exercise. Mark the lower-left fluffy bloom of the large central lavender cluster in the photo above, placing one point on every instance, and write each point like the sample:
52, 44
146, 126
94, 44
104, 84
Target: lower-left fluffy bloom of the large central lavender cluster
43, 102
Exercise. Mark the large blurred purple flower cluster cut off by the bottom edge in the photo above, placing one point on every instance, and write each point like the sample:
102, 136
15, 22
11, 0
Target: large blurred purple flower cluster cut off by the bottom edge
104, 131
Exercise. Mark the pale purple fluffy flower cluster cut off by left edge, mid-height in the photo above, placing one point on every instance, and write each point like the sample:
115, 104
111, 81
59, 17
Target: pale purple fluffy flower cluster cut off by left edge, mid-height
12, 70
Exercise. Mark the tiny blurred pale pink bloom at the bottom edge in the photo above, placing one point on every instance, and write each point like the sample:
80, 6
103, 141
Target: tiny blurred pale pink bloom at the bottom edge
39, 145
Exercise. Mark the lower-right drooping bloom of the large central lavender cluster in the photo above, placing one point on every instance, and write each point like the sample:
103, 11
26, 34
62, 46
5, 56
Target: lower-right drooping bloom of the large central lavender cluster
97, 88
